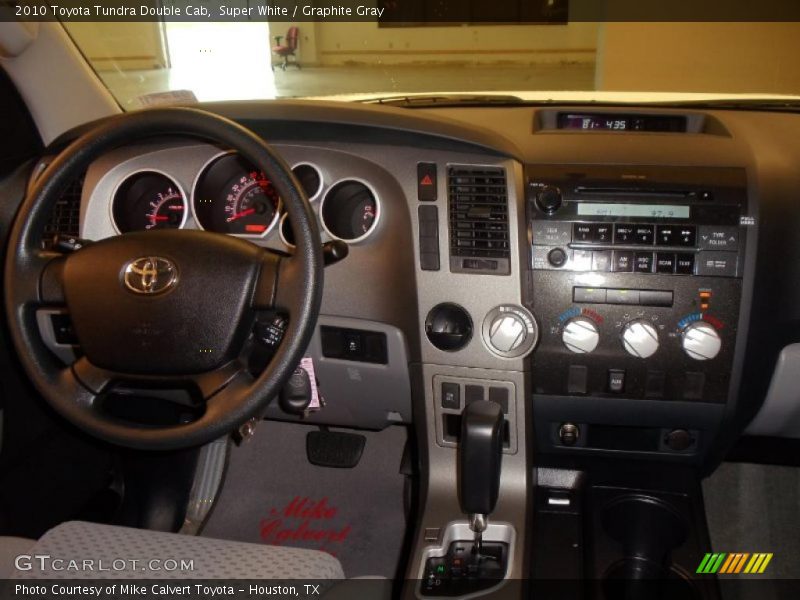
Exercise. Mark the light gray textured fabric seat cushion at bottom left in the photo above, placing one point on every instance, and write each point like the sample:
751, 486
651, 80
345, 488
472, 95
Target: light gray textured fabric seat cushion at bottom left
212, 558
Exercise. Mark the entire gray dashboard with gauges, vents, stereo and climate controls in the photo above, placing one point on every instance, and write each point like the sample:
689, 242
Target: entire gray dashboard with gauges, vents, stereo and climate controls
620, 278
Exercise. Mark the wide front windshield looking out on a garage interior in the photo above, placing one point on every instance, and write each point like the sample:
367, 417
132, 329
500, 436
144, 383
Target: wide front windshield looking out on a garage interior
160, 60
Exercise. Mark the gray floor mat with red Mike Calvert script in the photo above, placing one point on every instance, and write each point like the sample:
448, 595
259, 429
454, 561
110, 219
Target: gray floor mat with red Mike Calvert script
273, 495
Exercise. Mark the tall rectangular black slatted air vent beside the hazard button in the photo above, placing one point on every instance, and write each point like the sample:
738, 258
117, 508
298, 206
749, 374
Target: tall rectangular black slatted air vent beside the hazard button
479, 236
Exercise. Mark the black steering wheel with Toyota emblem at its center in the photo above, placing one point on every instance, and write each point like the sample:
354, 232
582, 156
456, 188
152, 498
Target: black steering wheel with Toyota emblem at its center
164, 309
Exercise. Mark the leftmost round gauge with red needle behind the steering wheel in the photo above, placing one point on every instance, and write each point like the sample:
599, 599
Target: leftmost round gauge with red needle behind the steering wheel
148, 200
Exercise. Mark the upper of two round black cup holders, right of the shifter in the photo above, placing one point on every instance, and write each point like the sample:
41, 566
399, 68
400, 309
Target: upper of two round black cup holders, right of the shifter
647, 528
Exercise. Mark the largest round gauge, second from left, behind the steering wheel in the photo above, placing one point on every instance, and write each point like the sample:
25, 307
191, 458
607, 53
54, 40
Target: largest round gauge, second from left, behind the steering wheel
231, 196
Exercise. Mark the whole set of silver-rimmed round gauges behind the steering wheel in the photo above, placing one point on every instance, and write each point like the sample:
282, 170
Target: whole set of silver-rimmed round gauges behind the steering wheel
231, 196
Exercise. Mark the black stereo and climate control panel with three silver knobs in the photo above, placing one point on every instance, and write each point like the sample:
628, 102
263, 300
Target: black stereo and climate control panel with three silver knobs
637, 285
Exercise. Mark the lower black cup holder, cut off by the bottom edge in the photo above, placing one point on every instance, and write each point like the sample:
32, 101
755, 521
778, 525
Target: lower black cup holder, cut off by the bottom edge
641, 579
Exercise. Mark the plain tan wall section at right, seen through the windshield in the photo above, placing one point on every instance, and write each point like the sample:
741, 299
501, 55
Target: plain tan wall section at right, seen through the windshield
699, 57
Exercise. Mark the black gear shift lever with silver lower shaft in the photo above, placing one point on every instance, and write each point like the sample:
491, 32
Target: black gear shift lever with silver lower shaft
479, 455
